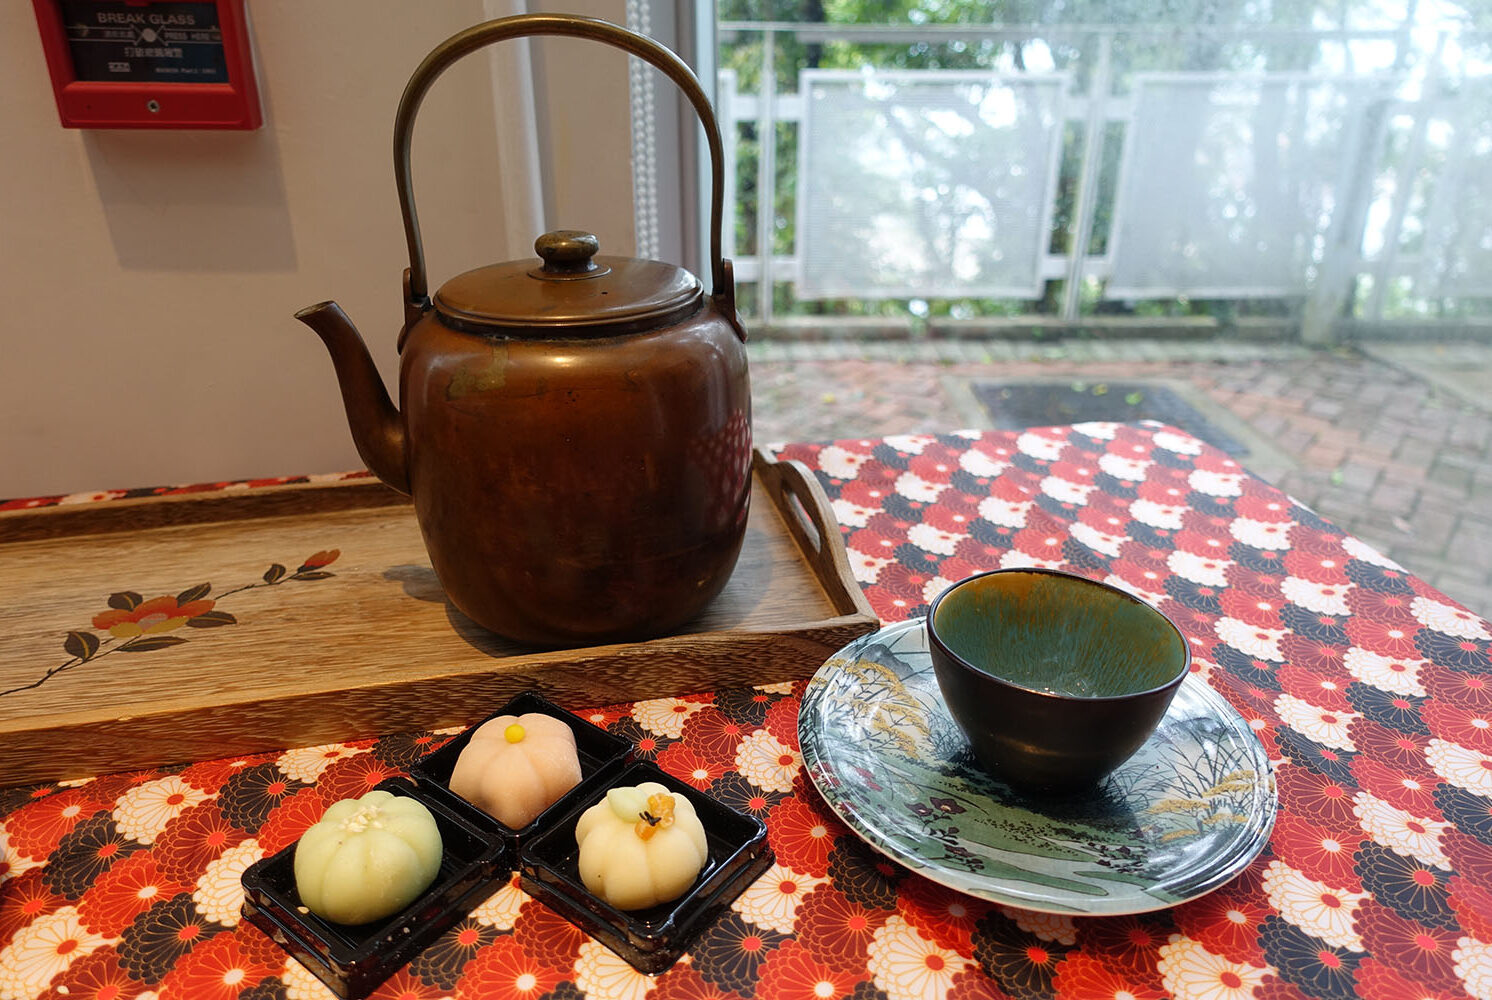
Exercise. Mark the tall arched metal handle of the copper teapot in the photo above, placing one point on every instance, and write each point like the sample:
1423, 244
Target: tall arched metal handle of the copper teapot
417, 283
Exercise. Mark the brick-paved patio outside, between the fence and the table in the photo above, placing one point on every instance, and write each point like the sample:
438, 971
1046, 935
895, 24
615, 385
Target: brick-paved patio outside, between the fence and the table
1393, 444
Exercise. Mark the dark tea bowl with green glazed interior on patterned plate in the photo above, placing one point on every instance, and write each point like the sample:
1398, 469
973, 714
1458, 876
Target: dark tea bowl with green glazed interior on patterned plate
1054, 678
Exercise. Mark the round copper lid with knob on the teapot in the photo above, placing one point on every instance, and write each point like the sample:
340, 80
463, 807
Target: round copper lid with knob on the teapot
572, 293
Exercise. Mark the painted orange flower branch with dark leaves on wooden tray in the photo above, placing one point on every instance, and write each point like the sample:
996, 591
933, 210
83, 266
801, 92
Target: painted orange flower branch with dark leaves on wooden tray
138, 625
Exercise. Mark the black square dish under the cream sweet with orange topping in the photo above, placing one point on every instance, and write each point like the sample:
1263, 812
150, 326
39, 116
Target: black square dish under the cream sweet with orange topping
651, 941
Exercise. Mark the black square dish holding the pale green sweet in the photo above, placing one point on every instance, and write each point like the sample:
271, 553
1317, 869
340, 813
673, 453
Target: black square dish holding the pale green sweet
354, 960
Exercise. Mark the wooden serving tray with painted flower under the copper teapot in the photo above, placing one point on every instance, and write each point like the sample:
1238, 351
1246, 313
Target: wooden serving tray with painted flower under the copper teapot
137, 634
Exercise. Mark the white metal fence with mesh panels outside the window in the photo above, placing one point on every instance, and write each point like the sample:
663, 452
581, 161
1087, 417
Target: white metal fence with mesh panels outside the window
1230, 186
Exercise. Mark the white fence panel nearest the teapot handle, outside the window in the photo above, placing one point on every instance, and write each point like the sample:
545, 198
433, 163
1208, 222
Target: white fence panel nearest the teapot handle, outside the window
927, 183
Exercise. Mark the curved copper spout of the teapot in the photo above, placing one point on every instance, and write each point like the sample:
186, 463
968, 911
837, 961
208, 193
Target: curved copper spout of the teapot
377, 428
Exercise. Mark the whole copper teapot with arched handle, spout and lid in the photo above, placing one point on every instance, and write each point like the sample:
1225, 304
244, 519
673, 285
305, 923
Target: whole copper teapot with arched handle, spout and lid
575, 434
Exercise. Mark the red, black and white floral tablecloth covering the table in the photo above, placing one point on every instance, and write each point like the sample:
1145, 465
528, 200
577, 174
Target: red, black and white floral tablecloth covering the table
1369, 689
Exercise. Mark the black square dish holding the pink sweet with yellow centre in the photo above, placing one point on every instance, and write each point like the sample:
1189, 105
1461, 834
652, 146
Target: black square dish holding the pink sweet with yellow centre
601, 753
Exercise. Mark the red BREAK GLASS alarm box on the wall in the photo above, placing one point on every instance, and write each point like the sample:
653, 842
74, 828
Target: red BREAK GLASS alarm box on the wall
150, 63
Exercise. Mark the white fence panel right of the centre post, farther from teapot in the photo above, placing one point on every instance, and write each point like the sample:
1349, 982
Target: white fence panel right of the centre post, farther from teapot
1229, 183
